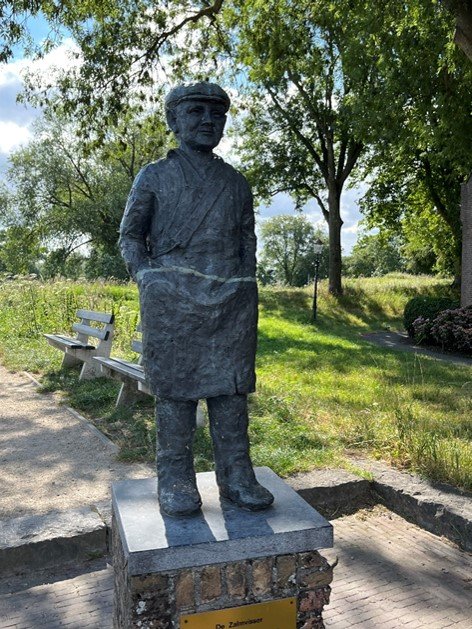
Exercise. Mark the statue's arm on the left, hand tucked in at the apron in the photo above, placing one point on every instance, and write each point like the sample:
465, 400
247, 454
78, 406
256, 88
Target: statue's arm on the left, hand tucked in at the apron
134, 228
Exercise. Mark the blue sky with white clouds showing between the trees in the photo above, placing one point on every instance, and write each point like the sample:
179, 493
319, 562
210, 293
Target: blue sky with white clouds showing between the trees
16, 120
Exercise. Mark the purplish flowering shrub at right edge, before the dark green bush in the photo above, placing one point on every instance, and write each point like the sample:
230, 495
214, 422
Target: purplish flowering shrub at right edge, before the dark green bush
452, 329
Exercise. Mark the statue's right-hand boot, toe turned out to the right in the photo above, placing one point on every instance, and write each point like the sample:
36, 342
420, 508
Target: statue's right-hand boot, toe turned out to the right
234, 472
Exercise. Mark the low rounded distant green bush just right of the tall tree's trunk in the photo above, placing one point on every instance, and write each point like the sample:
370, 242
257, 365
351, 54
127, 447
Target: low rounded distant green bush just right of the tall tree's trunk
373, 254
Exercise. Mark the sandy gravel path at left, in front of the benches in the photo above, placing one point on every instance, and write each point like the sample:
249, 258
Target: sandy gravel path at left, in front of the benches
50, 459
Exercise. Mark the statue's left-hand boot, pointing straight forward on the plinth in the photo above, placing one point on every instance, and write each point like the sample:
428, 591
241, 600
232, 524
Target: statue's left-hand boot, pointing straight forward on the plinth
177, 487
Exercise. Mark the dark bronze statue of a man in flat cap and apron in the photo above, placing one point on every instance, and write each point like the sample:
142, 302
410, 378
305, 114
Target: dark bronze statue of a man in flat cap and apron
187, 236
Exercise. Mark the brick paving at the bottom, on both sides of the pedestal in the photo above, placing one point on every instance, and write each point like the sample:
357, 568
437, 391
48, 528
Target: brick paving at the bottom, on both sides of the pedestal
391, 574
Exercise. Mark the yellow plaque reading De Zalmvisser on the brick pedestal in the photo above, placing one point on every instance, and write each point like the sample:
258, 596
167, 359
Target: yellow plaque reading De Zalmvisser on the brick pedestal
280, 614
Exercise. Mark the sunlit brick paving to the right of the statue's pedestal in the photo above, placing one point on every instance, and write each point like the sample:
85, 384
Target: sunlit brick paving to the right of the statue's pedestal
392, 574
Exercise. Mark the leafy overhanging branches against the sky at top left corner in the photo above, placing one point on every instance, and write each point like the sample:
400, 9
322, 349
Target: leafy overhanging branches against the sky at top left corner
120, 49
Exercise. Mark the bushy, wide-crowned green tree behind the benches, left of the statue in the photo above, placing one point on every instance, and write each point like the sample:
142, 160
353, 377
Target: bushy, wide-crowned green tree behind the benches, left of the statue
65, 195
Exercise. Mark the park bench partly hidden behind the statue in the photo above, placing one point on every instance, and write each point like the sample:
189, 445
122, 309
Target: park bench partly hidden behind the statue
132, 378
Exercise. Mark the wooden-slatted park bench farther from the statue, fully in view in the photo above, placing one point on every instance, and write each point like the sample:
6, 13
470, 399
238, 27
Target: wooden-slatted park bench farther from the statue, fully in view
81, 349
